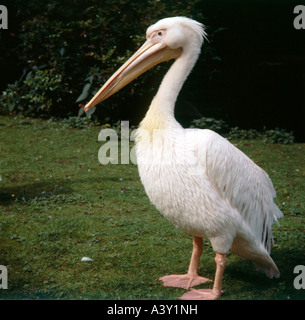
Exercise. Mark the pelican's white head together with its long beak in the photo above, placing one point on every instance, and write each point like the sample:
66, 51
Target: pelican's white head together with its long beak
166, 40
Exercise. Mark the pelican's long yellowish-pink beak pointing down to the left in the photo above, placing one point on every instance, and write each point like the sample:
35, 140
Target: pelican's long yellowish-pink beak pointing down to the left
146, 57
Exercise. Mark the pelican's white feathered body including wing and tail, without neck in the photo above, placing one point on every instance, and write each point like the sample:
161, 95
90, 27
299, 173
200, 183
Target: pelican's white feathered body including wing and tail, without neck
186, 184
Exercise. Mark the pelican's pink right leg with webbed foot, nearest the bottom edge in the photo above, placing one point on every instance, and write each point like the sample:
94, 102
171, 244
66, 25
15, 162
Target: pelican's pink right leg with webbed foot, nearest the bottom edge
210, 294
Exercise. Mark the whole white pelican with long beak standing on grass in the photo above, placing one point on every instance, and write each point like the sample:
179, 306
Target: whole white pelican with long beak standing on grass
198, 180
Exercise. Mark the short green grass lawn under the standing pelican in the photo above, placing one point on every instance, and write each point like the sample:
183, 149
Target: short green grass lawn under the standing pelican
59, 204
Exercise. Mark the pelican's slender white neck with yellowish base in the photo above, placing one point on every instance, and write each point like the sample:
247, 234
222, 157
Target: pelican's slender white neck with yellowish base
161, 111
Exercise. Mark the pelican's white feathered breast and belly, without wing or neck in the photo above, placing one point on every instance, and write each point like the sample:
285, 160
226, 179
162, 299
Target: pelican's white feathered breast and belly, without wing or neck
182, 191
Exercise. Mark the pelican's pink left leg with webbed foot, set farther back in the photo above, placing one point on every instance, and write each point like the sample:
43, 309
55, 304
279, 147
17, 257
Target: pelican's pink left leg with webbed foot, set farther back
192, 278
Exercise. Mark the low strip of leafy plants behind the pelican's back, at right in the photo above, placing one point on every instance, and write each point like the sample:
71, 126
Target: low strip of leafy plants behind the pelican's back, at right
234, 133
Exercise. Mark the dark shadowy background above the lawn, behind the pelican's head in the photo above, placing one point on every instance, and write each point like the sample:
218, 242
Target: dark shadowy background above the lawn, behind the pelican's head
251, 73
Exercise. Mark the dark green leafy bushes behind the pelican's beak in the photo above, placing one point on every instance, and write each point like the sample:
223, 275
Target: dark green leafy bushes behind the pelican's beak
67, 49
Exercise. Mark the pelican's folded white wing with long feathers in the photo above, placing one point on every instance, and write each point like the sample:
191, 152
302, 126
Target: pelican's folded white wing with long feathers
244, 184
